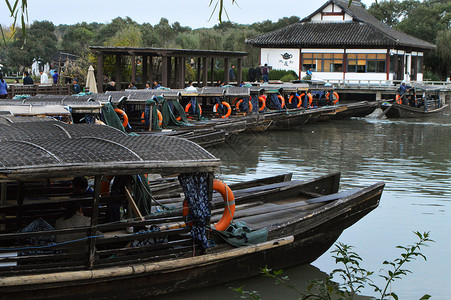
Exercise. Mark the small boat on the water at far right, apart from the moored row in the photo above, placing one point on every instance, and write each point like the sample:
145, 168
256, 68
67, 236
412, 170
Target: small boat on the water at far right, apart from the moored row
423, 101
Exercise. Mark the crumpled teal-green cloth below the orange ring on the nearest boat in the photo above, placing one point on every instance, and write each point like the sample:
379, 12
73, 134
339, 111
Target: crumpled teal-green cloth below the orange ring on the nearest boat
239, 234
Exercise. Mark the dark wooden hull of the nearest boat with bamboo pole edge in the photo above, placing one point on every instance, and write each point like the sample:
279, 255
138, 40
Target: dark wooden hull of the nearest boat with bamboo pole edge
303, 240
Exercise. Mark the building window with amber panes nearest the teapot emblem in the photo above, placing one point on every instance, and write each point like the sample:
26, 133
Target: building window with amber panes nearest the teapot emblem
322, 62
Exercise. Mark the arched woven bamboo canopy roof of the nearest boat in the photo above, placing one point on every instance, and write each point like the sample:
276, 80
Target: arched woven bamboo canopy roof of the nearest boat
88, 150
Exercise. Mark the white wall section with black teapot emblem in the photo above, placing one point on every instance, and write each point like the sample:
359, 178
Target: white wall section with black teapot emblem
274, 58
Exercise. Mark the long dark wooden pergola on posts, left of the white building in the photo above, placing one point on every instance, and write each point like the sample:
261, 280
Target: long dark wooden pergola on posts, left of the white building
173, 60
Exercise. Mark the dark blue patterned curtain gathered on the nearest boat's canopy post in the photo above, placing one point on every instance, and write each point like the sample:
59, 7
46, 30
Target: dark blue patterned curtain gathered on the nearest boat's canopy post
195, 187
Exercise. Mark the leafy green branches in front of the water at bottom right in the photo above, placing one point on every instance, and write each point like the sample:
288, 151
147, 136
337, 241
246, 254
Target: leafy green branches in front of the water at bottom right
354, 278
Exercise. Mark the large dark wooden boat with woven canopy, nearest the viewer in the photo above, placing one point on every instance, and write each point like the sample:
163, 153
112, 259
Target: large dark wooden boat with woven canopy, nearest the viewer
302, 220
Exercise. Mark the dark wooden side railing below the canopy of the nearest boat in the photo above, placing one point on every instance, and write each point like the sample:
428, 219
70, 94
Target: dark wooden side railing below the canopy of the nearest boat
90, 247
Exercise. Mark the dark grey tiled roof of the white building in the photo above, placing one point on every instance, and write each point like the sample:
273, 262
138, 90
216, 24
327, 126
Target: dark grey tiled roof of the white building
365, 30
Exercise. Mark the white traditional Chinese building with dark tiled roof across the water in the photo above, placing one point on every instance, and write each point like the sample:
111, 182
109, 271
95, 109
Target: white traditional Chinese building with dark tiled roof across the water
342, 42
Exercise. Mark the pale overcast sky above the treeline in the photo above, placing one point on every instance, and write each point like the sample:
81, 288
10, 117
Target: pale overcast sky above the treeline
194, 14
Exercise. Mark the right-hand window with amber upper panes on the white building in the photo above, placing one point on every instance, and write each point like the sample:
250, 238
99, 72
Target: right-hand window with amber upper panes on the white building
366, 63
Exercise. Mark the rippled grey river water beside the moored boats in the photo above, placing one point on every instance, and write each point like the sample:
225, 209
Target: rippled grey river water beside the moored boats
413, 157
